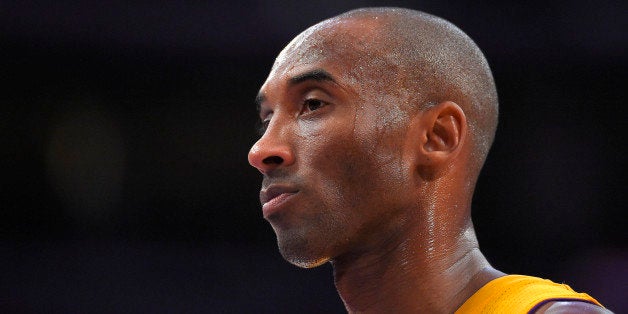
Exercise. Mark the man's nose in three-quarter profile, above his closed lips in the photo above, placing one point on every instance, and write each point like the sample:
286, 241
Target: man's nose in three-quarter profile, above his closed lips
270, 152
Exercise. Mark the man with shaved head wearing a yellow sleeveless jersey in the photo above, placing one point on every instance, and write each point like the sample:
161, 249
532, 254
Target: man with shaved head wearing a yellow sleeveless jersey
375, 125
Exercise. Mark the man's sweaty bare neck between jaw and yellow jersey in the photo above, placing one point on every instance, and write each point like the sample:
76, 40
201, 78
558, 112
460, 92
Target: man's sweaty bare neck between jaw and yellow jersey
426, 273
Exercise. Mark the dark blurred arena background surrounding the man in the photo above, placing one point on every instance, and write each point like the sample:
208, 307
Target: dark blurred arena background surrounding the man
124, 130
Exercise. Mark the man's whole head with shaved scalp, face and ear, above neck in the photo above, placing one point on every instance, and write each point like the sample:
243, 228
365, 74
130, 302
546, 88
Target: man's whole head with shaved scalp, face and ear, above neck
371, 119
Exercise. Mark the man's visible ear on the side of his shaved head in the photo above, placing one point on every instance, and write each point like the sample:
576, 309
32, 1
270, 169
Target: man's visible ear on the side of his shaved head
444, 131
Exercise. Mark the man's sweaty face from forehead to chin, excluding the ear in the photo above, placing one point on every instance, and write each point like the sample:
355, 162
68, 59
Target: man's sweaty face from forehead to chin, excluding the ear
335, 159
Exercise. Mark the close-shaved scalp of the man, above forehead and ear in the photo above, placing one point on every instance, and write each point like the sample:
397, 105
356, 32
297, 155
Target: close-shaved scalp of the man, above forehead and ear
412, 58
